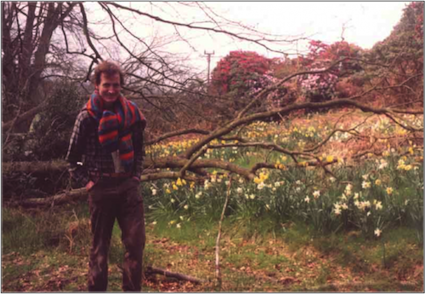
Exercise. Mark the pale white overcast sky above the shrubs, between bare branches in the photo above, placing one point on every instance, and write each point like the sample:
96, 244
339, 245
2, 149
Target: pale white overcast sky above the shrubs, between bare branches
364, 23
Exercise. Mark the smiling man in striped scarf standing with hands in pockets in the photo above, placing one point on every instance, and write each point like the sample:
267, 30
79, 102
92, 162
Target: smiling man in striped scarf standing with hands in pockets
105, 154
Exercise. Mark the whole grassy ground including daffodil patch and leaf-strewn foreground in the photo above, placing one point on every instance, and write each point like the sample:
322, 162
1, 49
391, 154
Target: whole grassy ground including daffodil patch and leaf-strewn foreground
279, 237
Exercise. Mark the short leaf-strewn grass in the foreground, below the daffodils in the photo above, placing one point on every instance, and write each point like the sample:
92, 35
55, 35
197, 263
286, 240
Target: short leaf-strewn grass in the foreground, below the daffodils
260, 259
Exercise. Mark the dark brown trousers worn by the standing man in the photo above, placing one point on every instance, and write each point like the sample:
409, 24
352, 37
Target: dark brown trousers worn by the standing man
111, 199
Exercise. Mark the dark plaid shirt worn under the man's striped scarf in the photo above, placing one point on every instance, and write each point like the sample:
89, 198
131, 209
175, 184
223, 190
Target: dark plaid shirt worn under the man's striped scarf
85, 148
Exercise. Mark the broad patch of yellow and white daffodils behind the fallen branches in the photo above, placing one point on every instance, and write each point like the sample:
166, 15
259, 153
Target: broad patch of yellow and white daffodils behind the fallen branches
382, 190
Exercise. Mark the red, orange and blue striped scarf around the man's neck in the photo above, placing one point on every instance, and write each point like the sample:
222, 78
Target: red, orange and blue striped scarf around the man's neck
114, 126
